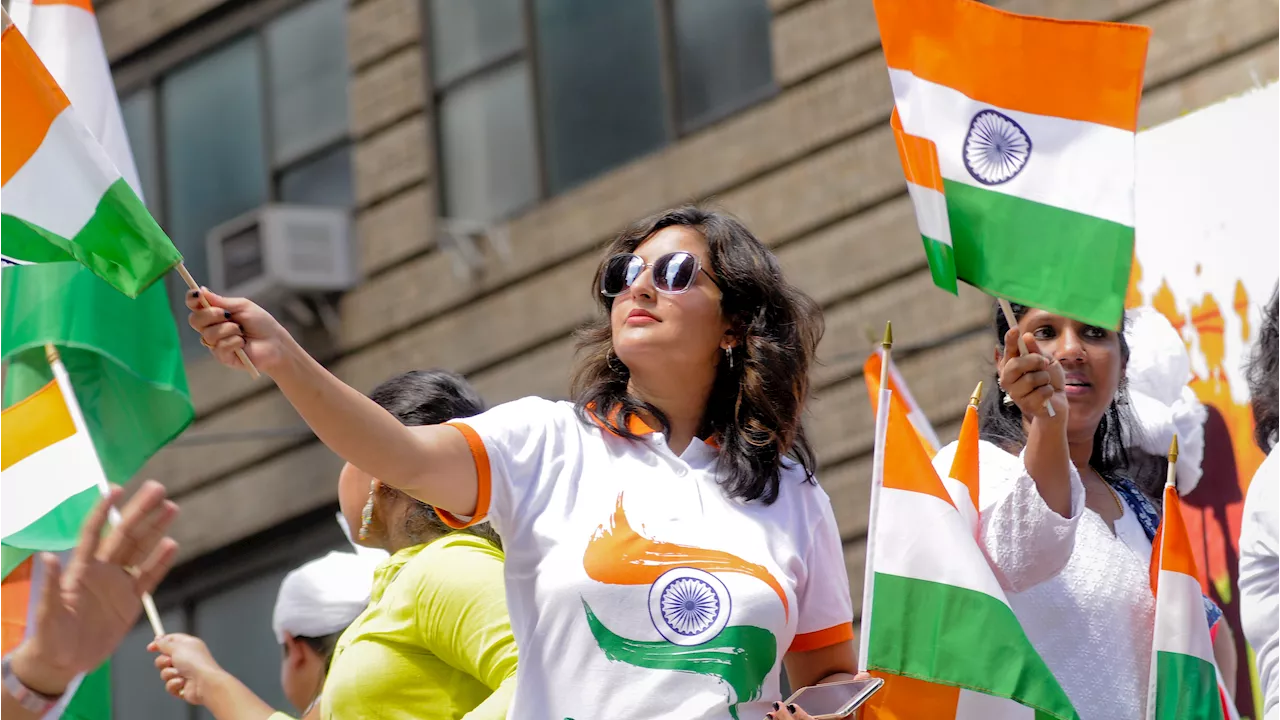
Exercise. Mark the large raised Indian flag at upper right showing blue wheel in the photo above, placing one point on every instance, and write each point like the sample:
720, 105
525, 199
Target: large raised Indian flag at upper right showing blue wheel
1018, 139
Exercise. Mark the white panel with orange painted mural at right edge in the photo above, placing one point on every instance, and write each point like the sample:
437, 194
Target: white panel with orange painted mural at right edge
1206, 259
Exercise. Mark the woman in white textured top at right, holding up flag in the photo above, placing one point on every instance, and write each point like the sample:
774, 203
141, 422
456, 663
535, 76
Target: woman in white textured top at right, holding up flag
1066, 528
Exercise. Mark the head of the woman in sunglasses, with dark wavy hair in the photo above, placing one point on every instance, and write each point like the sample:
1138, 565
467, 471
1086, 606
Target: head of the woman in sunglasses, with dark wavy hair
701, 334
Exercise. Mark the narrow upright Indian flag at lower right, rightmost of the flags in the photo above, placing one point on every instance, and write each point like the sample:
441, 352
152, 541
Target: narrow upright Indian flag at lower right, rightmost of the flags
1185, 682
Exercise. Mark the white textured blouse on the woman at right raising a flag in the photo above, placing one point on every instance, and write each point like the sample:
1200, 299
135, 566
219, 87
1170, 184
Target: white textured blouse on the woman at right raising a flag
1082, 594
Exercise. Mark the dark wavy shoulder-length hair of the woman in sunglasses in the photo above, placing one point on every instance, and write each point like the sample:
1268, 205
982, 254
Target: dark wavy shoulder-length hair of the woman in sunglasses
756, 407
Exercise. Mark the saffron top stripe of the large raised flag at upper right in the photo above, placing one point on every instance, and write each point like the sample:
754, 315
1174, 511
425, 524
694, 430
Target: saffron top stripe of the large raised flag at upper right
1084, 71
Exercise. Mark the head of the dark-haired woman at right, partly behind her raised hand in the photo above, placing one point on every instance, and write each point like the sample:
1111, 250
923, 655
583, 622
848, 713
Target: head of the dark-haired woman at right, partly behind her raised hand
1094, 361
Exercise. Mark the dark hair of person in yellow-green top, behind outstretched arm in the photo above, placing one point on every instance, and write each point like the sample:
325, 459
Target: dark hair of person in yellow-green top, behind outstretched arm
429, 398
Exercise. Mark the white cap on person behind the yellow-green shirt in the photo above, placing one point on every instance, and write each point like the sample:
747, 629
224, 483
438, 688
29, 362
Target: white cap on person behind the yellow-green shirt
324, 596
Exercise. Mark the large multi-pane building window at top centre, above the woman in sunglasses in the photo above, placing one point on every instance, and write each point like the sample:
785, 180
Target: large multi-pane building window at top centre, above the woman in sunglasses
538, 97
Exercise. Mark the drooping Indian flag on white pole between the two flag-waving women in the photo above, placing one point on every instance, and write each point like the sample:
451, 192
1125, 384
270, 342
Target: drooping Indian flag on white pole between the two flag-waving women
936, 625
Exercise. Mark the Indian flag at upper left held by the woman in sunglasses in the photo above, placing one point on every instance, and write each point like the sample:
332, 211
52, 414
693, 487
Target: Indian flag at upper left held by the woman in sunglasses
62, 198
